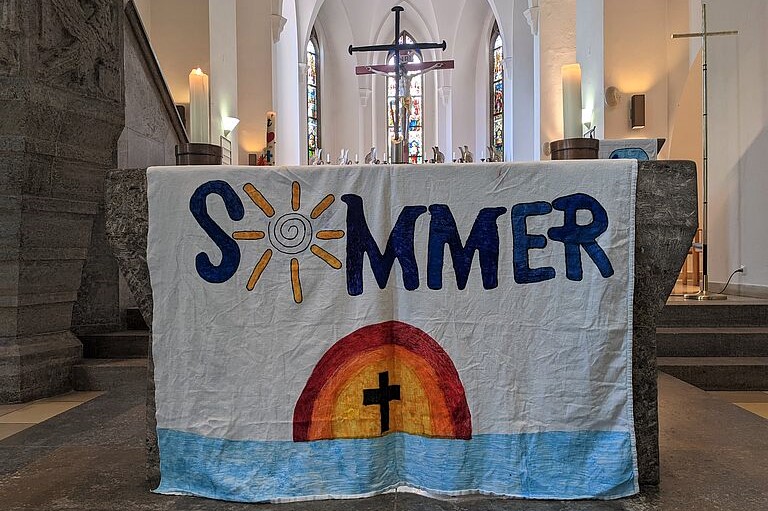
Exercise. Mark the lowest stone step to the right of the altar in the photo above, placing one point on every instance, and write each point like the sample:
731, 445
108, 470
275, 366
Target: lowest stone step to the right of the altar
719, 373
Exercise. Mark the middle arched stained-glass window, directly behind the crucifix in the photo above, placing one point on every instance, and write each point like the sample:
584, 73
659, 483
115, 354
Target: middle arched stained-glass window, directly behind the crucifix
415, 117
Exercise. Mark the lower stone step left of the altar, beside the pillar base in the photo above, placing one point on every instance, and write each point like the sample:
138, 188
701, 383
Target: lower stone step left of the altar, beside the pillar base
110, 374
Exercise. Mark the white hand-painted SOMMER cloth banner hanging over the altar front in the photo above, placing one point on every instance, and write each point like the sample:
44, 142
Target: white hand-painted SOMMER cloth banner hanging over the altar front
346, 331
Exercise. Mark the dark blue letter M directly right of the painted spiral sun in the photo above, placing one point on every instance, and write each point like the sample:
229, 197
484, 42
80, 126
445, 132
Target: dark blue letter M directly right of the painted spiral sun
399, 246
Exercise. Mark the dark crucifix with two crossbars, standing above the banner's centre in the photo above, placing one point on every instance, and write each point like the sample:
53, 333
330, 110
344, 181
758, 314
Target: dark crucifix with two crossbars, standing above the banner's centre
402, 71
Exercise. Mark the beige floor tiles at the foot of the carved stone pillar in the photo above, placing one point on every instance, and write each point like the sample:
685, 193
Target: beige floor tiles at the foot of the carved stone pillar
17, 418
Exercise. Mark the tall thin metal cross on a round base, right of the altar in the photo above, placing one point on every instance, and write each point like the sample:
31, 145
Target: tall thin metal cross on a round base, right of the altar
704, 293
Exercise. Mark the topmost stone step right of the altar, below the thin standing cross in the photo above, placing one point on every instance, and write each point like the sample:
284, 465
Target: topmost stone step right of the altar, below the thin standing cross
733, 312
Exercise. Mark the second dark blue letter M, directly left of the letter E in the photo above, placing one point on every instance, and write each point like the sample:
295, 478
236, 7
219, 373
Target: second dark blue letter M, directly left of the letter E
484, 238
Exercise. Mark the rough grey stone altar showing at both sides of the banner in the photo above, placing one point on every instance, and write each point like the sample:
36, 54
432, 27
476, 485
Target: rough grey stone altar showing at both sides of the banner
666, 218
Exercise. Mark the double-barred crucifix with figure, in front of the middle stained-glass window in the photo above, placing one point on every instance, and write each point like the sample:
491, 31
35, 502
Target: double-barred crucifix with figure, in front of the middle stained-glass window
401, 67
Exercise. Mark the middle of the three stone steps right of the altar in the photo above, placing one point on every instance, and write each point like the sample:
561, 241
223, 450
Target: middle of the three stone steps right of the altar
712, 342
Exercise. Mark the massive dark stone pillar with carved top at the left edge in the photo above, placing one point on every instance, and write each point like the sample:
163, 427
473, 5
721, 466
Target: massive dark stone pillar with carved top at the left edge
61, 113
